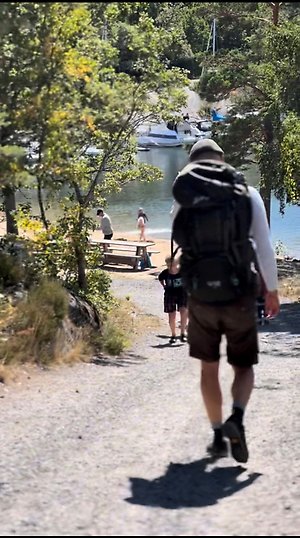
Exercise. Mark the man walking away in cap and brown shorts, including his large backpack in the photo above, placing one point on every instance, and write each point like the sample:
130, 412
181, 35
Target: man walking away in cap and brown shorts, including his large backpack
221, 227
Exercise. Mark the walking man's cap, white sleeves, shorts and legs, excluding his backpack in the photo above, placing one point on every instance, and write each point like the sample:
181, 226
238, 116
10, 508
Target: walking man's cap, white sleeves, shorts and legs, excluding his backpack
237, 320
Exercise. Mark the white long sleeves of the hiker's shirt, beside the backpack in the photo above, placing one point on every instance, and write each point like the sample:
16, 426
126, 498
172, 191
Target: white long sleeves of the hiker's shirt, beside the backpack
260, 233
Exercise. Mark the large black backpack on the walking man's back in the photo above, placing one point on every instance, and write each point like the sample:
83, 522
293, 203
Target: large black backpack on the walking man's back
212, 230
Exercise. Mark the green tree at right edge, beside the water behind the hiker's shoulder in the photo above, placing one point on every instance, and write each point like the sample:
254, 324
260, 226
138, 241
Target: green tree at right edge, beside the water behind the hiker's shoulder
261, 77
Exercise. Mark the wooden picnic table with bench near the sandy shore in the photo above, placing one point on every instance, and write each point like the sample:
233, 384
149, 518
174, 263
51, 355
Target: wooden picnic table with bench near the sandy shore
133, 253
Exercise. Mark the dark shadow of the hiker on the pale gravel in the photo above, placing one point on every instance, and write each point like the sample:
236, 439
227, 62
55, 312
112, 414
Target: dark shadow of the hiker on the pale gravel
189, 485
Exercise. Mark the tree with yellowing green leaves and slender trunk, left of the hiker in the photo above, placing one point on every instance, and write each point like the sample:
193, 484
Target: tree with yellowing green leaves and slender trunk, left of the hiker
84, 76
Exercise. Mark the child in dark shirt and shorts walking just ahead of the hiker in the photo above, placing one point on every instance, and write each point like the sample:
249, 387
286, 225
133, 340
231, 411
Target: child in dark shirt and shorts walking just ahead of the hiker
175, 298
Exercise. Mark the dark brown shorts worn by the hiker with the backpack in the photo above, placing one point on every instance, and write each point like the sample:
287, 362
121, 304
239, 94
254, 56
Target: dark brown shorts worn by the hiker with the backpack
237, 321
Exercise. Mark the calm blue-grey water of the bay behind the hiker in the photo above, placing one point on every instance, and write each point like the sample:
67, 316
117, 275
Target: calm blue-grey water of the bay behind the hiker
156, 199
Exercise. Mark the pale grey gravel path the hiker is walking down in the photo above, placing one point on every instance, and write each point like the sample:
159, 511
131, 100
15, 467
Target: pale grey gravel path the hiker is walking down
119, 449
